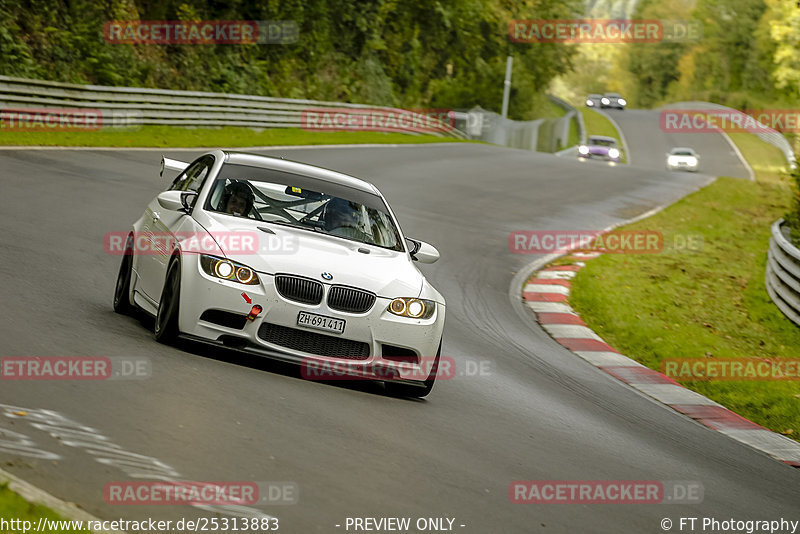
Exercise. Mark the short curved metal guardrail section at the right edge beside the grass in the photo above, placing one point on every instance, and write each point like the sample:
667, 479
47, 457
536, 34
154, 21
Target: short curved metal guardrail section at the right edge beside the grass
783, 273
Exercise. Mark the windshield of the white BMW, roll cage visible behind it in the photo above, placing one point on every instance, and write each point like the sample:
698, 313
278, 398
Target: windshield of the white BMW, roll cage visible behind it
305, 203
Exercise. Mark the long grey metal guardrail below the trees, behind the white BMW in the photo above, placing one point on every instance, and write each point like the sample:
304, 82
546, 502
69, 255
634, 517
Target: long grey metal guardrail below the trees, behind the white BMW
133, 106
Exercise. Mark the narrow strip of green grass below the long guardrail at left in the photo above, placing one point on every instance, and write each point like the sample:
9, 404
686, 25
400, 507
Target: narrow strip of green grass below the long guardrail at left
172, 136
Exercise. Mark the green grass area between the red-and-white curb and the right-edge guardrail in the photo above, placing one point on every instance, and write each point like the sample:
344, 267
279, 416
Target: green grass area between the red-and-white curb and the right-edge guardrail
710, 303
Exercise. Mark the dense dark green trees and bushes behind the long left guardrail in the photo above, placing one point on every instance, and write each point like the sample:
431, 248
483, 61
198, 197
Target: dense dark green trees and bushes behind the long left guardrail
414, 53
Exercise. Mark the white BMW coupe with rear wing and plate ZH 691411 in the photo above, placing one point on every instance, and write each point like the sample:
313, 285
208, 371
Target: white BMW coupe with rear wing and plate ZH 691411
286, 260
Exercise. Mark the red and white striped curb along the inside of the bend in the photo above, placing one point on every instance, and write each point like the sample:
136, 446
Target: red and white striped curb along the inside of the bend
546, 293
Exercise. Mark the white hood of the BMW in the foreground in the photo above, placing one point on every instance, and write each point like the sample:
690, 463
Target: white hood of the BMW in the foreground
281, 249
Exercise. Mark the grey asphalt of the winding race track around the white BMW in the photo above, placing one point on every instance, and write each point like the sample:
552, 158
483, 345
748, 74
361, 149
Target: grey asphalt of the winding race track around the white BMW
212, 415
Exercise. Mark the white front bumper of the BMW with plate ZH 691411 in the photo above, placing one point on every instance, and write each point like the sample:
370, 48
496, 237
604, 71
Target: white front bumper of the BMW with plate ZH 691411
376, 331
